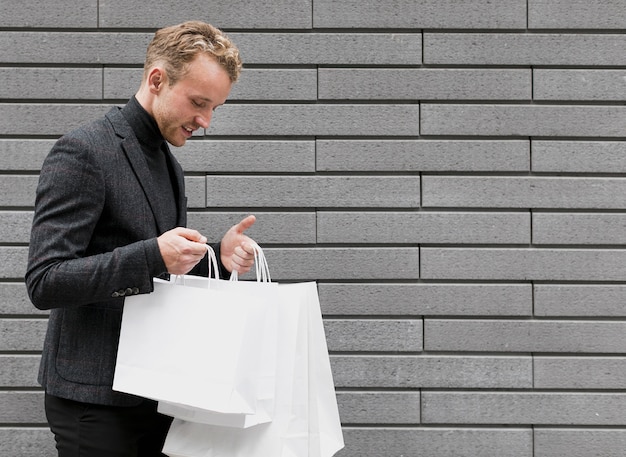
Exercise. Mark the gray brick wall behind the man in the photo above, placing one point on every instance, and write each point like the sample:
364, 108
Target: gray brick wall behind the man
451, 173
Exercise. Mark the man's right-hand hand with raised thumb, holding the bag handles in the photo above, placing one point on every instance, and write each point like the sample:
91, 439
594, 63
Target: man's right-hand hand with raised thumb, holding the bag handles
236, 252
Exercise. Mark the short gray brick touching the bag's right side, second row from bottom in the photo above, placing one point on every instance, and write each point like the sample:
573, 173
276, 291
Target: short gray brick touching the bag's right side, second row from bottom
374, 407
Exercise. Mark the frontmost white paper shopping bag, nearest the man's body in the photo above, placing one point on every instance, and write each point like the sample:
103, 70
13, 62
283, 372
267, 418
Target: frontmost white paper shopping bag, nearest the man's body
194, 346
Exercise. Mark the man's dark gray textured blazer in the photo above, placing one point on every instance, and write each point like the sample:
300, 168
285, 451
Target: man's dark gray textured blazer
93, 241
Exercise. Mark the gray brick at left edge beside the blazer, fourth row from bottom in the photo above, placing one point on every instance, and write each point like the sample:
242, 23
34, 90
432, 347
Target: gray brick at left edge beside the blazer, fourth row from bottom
22, 334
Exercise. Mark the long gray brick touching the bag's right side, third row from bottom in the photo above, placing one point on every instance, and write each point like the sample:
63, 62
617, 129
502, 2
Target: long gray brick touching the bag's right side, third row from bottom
428, 371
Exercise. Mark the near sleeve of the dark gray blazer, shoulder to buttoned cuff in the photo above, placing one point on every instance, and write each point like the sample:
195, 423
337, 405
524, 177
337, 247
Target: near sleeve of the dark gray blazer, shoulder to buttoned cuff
69, 263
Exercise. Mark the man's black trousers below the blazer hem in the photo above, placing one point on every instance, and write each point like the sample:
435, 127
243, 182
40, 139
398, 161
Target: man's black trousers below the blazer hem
87, 430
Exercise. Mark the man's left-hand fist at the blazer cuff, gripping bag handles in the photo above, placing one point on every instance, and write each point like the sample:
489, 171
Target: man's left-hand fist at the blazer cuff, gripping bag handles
181, 249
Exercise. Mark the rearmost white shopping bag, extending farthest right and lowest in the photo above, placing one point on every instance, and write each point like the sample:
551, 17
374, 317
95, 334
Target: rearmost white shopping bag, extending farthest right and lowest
306, 421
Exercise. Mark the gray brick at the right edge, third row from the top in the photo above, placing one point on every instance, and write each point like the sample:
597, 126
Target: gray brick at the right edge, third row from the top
584, 85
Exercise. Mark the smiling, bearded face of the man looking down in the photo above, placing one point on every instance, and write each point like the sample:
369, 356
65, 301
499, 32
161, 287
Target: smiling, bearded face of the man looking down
188, 105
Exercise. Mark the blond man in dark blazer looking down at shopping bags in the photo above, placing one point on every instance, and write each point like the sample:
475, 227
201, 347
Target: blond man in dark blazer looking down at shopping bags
110, 215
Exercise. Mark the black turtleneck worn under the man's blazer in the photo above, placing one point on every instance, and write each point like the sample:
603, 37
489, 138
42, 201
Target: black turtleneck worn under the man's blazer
155, 150
